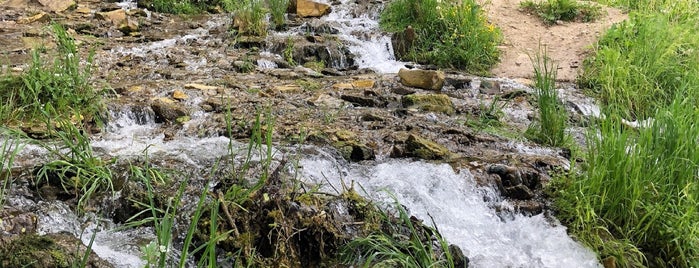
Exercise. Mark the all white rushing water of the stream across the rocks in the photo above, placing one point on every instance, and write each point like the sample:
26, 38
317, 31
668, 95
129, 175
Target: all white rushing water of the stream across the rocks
464, 212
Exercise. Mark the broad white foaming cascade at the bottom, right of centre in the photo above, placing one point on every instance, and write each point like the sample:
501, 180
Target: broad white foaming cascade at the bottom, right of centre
460, 212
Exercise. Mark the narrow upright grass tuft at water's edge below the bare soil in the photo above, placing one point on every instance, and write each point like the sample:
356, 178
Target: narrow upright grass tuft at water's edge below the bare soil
551, 125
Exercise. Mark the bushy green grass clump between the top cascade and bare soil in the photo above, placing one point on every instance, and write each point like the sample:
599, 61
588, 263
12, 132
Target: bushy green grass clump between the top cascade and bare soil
449, 33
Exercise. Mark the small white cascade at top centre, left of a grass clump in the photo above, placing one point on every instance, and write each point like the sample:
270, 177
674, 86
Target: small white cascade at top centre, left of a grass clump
361, 33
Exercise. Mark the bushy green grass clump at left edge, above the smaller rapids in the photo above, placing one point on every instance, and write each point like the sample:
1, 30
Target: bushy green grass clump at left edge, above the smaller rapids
61, 85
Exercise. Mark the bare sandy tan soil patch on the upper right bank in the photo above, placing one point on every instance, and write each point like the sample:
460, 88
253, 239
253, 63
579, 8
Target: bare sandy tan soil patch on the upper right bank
567, 43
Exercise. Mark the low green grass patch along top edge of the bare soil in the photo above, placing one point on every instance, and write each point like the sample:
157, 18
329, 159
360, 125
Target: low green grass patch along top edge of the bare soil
551, 11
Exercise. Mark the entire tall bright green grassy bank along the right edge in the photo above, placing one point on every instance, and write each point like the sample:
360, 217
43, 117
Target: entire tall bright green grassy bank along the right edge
635, 200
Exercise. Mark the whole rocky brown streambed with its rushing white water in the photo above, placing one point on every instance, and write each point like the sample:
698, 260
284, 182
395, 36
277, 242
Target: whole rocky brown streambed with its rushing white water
183, 87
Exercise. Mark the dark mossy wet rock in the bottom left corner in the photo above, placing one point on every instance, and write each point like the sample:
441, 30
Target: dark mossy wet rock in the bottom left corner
52, 250
